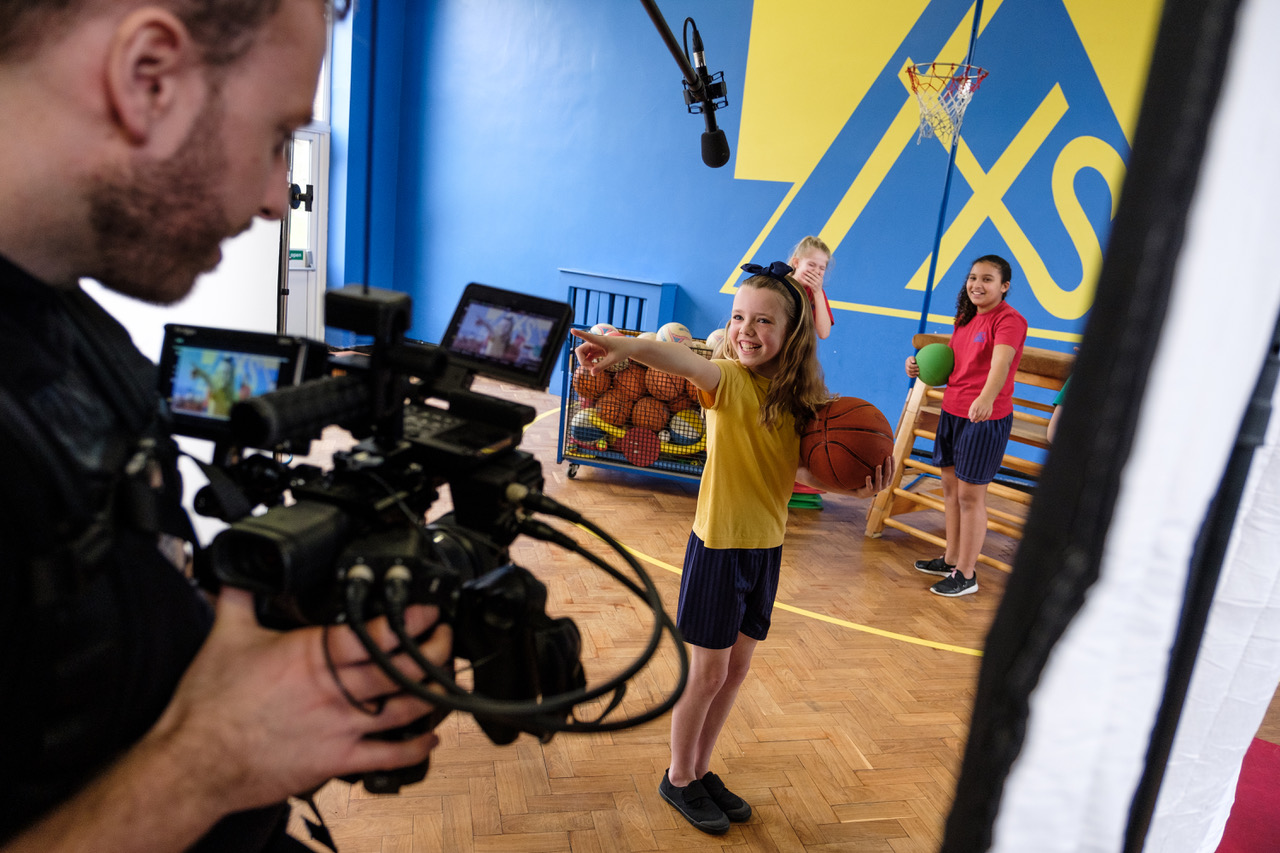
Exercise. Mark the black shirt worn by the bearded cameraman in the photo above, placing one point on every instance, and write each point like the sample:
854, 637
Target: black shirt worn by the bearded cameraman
93, 641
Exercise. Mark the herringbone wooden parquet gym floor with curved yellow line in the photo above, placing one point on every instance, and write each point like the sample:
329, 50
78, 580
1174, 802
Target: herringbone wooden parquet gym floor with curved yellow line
847, 736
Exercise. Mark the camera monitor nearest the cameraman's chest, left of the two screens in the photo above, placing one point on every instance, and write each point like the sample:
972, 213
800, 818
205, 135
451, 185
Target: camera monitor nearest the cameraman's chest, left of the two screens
205, 372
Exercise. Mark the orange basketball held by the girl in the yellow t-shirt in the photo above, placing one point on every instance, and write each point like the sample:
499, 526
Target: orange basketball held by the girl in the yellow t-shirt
845, 443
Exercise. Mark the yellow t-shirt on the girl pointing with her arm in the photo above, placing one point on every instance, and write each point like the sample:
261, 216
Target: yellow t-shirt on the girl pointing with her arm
751, 471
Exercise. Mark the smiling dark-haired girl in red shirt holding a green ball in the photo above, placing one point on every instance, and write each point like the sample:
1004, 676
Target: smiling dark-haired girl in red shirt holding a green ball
977, 418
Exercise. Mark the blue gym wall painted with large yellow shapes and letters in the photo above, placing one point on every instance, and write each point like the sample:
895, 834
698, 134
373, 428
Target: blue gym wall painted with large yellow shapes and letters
506, 140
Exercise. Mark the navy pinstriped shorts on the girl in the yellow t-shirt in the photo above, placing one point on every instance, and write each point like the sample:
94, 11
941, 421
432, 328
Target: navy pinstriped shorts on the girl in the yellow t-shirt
725, 592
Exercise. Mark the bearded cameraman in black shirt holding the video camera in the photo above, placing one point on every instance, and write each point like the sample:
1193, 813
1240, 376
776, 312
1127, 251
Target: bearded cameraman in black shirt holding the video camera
138, 135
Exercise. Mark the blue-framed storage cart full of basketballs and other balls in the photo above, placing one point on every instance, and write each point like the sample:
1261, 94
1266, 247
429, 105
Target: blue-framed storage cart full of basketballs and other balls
632, 418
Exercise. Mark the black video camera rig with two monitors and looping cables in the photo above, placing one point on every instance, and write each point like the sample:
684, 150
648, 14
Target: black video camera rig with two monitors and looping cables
350, 544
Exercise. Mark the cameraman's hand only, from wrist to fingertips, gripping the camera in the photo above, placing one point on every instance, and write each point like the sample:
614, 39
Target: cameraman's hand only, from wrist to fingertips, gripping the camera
259, 717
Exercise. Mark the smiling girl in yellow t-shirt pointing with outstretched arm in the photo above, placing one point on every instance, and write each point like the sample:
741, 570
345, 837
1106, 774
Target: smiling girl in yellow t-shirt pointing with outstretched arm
756, 400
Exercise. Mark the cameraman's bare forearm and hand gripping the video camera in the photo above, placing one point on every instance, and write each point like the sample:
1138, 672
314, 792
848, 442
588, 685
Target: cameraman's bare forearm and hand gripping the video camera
257, 718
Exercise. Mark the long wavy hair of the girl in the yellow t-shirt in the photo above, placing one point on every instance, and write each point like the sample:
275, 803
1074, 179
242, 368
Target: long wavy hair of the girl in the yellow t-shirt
798, 387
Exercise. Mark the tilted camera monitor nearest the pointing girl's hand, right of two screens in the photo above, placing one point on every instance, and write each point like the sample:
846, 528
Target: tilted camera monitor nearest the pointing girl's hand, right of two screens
508, 336
